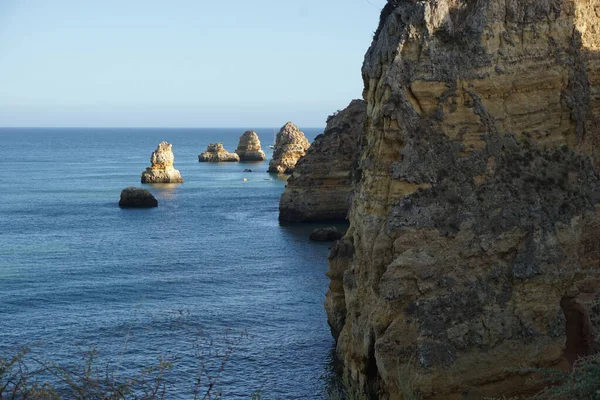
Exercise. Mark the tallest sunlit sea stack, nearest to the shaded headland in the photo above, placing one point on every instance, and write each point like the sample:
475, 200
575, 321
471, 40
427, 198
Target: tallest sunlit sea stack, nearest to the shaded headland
290, 145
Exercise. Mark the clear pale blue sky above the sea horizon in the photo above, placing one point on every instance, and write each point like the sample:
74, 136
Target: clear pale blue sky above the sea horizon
181, 63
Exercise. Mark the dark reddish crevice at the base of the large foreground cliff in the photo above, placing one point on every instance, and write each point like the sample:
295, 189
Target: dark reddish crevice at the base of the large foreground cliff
578, 330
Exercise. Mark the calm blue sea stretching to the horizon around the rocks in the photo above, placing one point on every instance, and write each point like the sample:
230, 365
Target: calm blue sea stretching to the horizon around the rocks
189, 277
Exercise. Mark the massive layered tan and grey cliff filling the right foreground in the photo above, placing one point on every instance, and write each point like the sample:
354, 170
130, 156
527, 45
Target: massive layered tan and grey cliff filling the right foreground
474, 239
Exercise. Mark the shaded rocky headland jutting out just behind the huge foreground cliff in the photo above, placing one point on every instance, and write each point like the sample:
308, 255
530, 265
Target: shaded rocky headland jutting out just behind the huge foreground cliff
320, 185
